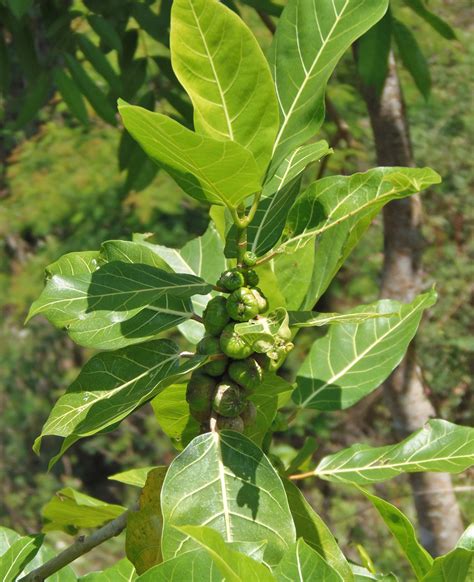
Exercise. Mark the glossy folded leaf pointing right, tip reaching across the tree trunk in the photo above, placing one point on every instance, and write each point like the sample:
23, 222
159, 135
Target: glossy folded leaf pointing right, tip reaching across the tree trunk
345, 205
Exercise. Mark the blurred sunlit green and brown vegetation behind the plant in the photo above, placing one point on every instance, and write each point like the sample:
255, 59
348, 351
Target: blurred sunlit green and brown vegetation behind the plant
67, 193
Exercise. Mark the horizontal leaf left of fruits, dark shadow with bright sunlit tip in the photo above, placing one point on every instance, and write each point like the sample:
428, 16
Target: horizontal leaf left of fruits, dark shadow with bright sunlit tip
116, 287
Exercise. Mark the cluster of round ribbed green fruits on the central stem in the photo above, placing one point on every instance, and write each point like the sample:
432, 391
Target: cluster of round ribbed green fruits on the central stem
222, 386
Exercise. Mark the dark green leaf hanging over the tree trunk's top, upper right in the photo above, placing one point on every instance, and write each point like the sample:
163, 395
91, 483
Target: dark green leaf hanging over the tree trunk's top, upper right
373, 49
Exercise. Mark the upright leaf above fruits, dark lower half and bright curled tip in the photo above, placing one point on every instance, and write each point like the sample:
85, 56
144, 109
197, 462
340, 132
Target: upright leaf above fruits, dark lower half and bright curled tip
278, 195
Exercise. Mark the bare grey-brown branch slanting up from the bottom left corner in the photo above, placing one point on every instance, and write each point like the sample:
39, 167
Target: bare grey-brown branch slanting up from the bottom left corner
80, 547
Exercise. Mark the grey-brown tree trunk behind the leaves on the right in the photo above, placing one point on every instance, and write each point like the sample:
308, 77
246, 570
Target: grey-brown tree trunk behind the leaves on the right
438, 513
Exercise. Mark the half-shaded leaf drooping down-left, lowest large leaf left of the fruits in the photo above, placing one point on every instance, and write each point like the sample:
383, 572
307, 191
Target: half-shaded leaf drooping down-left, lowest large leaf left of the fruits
112, 385
